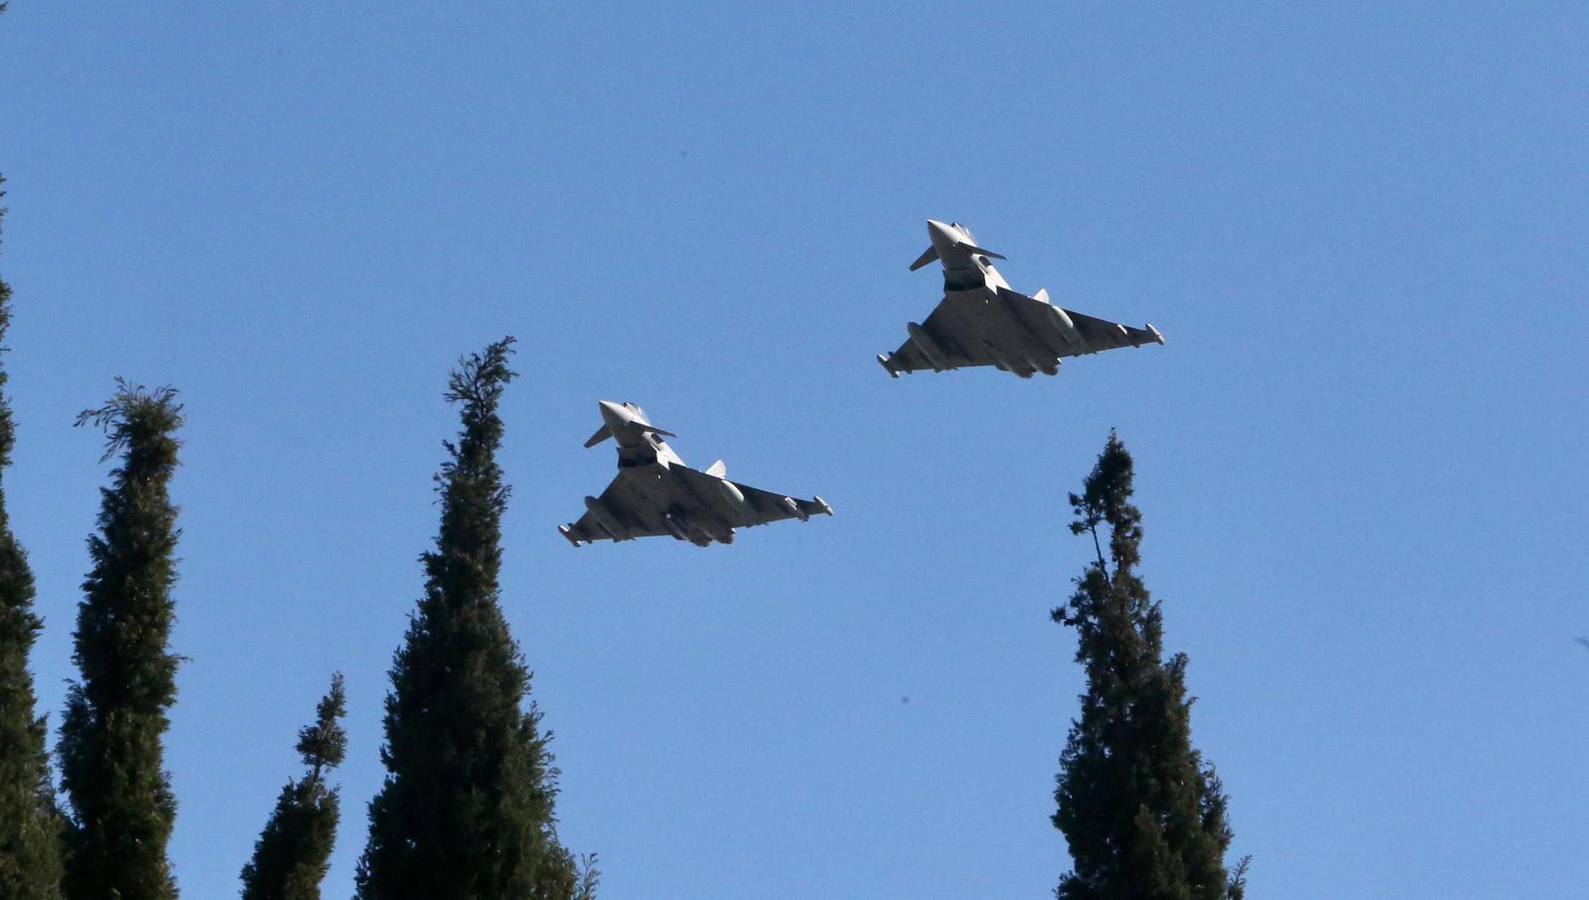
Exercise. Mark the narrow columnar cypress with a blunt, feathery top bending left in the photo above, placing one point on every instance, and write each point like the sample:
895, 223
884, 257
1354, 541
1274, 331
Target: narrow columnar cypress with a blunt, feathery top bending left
112, 759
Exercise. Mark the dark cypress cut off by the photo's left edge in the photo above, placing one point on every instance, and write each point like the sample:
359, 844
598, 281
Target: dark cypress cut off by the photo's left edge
29, 824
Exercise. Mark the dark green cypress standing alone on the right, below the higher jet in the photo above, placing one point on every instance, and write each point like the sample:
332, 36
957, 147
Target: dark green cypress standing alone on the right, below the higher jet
1145, 817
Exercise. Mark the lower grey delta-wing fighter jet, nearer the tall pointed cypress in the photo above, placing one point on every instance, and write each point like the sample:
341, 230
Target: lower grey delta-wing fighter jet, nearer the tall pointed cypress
655, 494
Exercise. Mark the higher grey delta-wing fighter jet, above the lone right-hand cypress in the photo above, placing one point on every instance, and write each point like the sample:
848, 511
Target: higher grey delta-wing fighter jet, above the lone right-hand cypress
983, 322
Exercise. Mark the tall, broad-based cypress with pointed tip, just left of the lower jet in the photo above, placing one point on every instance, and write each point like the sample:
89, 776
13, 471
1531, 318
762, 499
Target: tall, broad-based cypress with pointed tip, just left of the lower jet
468, 802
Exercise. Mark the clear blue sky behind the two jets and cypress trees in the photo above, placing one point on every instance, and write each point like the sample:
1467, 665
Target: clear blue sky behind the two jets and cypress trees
1361, 456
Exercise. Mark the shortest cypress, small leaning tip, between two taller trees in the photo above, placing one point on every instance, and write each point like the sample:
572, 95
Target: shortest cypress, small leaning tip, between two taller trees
293, 853
